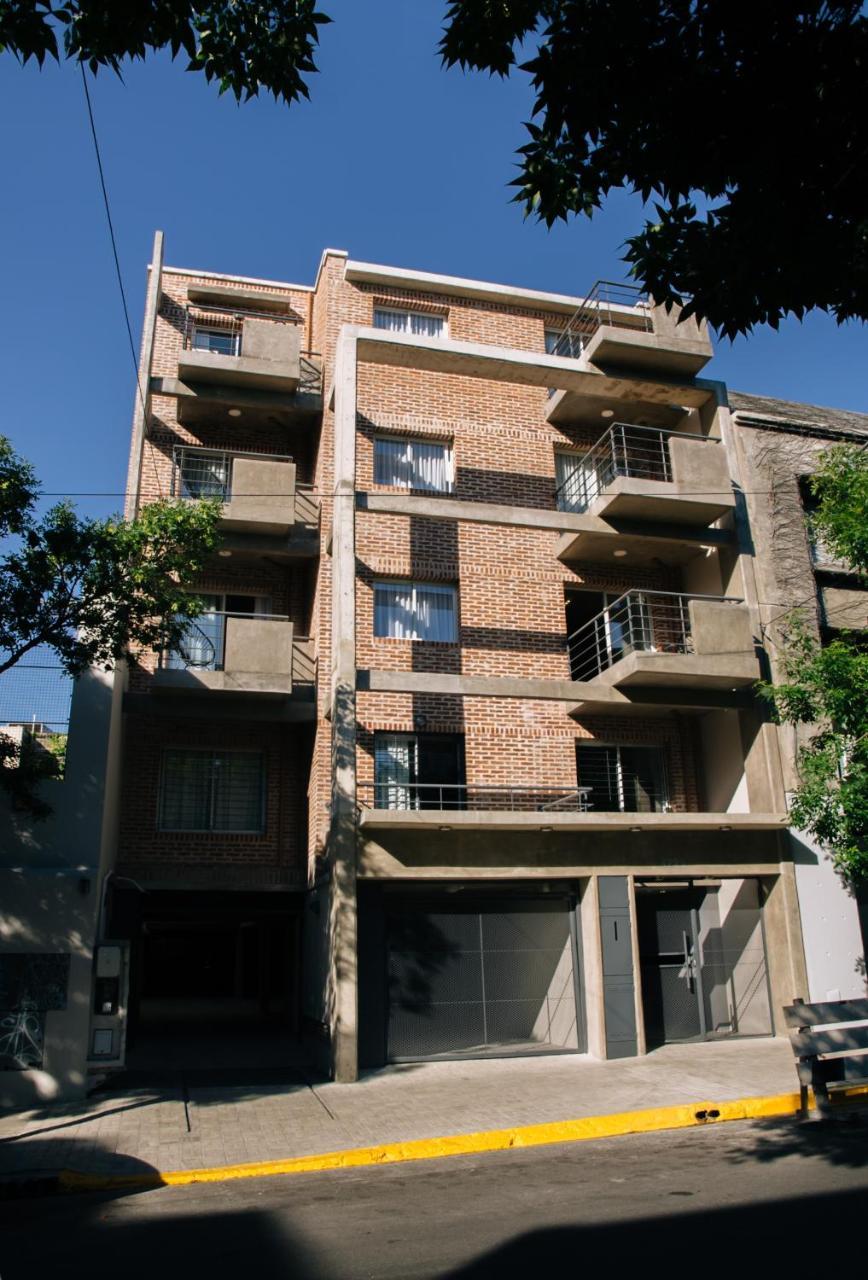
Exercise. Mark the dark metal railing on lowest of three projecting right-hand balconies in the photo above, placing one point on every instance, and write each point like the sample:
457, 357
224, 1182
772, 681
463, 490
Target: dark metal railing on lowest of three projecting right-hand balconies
636, 623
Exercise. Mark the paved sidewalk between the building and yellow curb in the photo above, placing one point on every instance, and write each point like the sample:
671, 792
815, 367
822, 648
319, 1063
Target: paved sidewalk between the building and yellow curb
205, 1126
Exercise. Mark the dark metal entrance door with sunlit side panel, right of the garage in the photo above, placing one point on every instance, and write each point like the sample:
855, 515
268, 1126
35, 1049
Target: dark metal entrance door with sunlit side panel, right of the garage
703, 962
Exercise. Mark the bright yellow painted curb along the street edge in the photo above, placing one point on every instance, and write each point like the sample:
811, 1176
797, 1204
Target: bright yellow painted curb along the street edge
695, 1114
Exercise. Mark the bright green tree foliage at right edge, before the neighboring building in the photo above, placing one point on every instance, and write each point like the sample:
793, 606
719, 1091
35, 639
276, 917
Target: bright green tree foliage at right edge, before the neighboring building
826, 687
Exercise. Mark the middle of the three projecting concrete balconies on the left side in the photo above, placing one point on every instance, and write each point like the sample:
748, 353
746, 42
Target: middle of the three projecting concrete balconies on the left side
259, 492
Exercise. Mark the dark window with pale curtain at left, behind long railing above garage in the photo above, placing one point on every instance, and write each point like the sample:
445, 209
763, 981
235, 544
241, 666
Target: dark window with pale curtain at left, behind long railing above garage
419, 771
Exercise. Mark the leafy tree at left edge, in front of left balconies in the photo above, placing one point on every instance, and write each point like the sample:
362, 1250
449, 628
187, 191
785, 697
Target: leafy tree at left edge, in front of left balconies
90, 591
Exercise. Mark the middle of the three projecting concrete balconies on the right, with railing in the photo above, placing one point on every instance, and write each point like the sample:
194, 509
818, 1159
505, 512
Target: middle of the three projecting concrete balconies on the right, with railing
642, 473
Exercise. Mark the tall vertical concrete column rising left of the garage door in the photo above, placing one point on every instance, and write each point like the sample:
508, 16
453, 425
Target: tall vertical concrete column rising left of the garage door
342, 838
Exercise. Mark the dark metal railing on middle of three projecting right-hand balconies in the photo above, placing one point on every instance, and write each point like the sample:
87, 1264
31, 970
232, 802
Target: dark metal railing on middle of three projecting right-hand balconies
623, 450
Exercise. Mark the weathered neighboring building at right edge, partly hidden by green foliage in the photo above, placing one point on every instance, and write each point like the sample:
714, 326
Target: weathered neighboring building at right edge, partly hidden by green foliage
779, 446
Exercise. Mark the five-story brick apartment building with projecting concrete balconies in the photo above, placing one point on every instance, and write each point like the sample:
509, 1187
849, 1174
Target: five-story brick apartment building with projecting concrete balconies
464, 757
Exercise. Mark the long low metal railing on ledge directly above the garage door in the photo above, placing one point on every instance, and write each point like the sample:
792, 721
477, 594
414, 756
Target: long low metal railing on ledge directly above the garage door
478, 798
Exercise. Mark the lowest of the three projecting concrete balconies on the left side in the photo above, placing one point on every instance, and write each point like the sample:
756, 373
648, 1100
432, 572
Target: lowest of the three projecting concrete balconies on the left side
234, 653
